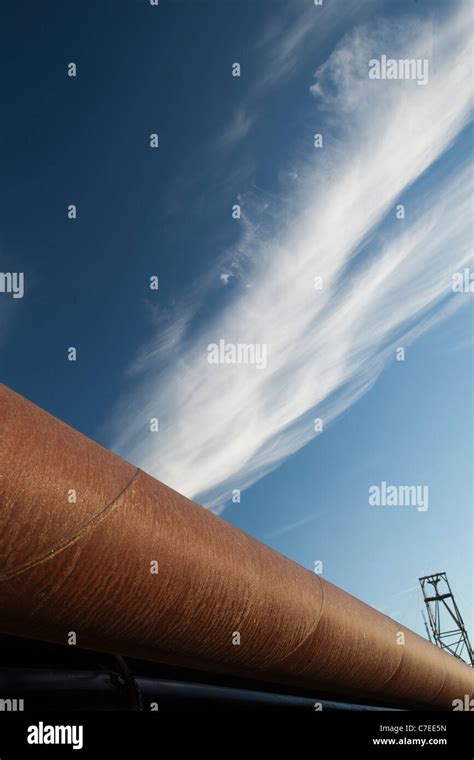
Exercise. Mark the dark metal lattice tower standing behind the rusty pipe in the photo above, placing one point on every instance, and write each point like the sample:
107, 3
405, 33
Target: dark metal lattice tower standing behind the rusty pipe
442, 613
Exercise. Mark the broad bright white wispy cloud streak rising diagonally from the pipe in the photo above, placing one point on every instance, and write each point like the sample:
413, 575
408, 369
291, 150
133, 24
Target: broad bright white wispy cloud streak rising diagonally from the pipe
225, 426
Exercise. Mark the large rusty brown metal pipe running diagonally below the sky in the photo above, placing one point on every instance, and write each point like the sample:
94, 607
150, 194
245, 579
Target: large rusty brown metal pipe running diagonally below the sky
86, 566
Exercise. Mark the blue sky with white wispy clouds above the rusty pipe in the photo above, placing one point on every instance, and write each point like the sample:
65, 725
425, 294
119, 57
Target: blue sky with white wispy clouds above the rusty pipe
305, 212
